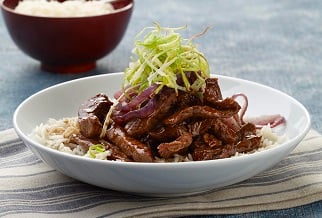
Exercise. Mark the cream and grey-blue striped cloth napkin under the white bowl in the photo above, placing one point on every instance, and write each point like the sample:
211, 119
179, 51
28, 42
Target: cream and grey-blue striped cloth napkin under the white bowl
29, 188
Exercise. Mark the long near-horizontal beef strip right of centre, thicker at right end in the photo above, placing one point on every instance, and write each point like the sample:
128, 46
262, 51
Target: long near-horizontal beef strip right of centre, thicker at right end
226, 109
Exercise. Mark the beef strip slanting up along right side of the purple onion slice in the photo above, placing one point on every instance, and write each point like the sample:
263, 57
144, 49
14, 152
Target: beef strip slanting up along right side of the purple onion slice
139, 127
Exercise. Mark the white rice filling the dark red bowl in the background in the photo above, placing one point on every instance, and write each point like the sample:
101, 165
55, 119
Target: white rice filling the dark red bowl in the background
70, 8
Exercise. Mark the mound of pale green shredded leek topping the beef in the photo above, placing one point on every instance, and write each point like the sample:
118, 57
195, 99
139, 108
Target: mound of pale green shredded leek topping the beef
161, 56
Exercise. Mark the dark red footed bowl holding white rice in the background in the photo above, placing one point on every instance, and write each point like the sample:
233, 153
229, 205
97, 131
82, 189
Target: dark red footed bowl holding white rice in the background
67, 45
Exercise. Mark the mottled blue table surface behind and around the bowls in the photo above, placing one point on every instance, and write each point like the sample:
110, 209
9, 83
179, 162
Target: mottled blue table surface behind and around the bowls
272, 42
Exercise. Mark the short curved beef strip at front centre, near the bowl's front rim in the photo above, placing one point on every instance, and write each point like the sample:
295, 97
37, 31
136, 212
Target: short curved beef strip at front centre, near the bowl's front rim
168, 149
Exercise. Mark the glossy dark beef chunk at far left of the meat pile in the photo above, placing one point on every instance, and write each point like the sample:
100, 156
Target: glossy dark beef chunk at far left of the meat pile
91, 115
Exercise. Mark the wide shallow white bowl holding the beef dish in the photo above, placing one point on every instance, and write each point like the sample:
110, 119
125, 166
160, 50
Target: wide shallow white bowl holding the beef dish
158, 179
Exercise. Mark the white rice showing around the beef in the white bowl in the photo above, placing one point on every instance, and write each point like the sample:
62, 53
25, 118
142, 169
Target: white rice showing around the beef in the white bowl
56, 134
